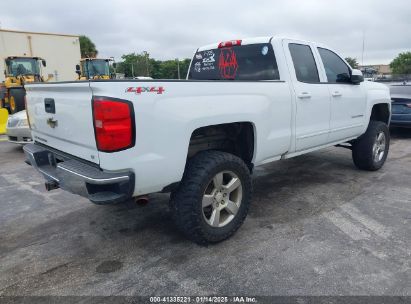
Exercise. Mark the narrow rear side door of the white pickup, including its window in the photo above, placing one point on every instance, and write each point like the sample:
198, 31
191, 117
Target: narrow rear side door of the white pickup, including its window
312, 122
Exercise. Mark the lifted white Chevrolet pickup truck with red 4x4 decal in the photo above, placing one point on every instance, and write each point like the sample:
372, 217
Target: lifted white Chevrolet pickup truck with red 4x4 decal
244, 103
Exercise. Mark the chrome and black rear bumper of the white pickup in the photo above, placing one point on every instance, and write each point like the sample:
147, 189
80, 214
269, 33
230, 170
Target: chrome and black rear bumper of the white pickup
79, 177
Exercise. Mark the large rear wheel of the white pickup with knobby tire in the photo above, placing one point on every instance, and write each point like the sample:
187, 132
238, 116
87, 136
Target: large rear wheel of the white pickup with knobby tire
213, 197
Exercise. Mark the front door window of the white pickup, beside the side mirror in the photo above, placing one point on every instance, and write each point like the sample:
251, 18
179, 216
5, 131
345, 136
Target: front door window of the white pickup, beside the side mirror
335, 68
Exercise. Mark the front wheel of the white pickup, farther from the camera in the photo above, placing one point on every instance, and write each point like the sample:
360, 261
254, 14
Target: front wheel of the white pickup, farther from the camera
370, 150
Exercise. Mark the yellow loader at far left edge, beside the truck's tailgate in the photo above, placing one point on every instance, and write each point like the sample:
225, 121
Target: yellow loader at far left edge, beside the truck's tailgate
18, 71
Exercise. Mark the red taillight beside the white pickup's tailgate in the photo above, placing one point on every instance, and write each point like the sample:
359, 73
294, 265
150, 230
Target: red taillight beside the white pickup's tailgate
113, 124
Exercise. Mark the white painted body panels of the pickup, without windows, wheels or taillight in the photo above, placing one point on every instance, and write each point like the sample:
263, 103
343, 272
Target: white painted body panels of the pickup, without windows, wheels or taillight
289, 117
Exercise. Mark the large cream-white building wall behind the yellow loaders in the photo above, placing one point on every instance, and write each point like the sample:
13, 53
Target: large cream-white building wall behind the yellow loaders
61, 51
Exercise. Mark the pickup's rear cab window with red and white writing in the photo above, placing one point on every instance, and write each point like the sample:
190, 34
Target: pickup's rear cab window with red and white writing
243, 62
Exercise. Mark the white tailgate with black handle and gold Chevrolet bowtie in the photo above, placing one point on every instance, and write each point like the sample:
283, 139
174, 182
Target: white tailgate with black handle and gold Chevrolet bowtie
61, 117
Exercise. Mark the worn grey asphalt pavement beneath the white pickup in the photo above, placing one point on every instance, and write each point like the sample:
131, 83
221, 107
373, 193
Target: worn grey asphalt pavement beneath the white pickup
317, 226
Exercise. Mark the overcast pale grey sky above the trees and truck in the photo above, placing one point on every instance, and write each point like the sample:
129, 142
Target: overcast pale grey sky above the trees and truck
176, 28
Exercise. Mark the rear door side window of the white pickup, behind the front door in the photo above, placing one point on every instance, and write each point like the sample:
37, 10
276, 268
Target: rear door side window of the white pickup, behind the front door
304, 63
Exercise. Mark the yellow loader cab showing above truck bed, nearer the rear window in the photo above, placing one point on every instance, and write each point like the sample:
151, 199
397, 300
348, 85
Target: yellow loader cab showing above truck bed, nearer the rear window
95, 68
